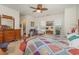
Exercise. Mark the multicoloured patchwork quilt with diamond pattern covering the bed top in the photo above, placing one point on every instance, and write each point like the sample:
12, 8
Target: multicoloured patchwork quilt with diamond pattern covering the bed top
45, 45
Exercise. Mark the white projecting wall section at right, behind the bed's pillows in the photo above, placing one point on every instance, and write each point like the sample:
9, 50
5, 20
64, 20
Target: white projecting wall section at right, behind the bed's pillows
70, 19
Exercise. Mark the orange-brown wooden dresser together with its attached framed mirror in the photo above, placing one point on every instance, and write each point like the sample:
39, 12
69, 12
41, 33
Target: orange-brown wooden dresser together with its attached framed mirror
8, 32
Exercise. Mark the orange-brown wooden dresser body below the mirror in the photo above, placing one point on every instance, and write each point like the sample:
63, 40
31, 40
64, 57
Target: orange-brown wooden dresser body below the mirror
9, 35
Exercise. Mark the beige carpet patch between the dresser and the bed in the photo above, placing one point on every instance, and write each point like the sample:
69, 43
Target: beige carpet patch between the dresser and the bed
13, 48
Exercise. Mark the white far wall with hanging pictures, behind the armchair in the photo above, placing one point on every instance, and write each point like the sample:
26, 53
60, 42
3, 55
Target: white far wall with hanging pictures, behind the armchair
40, 22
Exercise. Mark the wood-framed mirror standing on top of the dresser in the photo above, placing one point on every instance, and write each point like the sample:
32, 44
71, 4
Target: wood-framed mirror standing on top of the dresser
7, 22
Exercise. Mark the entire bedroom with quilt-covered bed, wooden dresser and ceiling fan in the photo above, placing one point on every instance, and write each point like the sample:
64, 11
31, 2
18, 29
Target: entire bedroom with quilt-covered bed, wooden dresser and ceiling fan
49, 28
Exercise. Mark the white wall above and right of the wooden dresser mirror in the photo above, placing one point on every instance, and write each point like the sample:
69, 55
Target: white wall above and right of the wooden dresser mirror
10, 12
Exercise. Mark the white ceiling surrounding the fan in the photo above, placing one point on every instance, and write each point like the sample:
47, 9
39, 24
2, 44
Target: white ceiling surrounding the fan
52, 8
